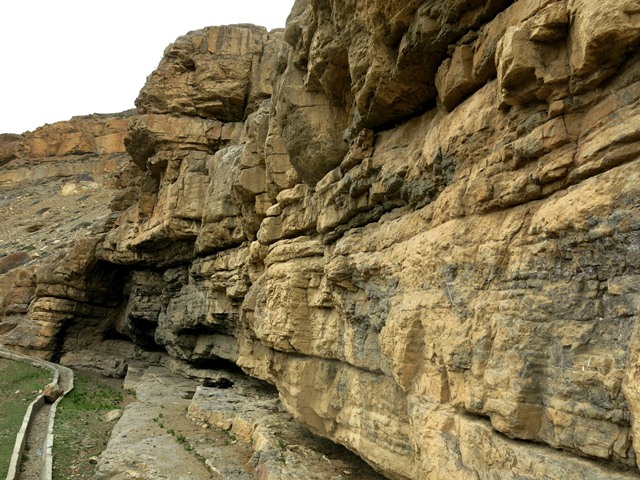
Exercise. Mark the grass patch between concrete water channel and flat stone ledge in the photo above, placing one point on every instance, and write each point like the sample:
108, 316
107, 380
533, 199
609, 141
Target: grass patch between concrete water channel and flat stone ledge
80, 431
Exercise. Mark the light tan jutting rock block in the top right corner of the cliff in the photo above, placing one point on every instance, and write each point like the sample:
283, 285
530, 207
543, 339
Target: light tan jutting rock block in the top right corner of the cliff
560, 50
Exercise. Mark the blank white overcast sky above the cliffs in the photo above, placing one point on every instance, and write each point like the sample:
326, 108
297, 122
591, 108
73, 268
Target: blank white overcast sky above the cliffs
60, 58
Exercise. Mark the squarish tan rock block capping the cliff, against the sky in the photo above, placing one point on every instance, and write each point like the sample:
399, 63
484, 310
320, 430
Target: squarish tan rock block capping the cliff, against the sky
215, 72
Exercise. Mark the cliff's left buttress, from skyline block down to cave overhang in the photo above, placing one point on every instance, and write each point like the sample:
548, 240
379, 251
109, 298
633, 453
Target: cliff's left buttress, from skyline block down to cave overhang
205, 186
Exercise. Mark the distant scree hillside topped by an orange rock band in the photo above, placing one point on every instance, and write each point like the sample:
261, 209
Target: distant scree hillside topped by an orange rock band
55, 184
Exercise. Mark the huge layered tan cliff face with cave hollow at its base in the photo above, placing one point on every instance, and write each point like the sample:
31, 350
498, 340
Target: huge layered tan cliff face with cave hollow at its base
424, 230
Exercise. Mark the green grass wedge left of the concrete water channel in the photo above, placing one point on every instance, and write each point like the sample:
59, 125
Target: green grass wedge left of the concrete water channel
19, 386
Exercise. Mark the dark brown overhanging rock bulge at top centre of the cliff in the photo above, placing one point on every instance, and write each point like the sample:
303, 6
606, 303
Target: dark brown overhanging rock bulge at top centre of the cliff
381, 61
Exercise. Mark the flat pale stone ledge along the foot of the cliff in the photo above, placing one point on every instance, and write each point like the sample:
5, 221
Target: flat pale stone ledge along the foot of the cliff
234, 429
